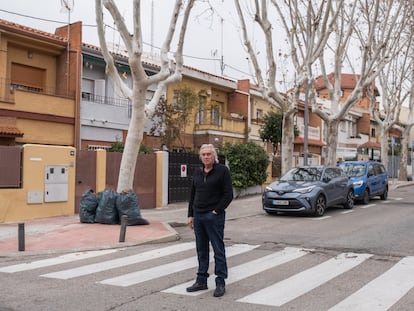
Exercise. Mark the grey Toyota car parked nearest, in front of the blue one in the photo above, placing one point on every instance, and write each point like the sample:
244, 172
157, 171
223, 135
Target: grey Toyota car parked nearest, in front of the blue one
309, 189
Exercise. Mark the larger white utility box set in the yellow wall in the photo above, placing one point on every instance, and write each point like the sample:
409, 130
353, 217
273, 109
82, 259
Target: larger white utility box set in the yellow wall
56, 183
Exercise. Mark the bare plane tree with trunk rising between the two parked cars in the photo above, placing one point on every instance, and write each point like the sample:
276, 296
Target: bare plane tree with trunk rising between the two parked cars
364, 40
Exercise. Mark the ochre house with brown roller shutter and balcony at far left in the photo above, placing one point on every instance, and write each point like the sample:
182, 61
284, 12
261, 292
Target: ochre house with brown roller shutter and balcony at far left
39, 85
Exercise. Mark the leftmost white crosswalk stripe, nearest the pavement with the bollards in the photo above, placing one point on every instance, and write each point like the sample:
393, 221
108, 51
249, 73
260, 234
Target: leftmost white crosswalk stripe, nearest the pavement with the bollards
55, 261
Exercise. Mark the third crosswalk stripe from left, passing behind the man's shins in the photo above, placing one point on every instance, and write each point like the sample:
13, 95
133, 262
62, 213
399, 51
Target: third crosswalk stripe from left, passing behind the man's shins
163, 270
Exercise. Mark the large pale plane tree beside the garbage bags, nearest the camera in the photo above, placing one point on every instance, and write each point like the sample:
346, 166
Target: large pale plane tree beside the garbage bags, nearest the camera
170, 71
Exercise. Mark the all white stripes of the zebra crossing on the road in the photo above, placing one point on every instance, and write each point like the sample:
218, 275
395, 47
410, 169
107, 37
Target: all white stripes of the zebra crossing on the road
380, 293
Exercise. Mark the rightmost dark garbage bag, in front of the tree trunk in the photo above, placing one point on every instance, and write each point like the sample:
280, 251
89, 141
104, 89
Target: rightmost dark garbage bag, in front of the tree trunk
127, 204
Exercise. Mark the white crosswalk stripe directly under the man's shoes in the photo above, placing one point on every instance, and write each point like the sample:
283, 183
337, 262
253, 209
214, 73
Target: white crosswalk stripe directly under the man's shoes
246, 270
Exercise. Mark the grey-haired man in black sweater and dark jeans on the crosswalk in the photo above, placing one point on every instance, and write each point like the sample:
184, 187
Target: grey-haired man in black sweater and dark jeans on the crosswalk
211, 194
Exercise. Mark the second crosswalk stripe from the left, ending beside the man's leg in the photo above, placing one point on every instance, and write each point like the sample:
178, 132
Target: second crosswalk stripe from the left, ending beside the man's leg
120, 262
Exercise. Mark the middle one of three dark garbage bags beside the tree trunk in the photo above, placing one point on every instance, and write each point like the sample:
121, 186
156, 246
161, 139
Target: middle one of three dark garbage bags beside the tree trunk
106, 213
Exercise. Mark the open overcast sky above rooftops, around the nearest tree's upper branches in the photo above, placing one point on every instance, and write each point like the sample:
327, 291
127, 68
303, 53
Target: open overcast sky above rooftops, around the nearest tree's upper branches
207, 39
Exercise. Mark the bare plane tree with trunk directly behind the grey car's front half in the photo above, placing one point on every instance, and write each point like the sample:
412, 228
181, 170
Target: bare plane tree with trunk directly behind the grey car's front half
307, 26
